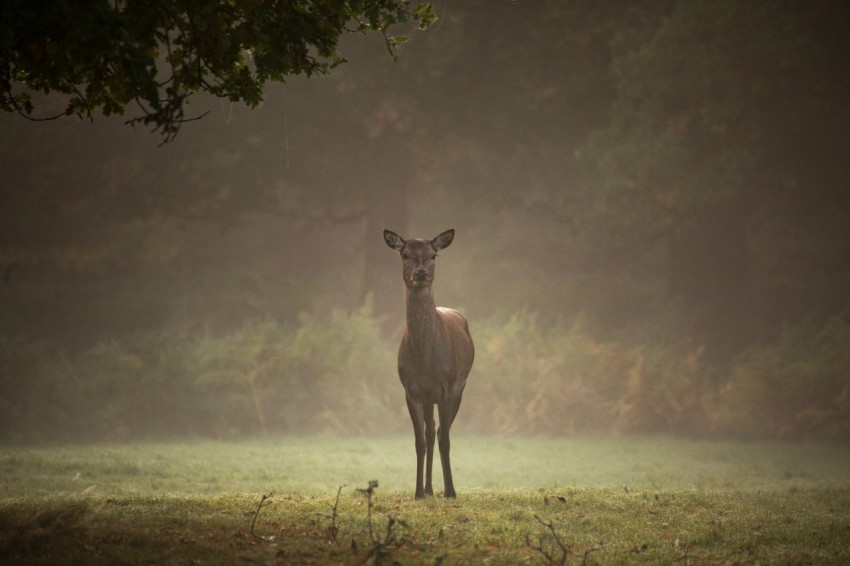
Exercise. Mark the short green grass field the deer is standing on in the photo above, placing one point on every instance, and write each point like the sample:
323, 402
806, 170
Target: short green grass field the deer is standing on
520, 500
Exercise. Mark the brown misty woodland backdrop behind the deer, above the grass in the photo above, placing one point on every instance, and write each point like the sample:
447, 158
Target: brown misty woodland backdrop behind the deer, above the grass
651, 209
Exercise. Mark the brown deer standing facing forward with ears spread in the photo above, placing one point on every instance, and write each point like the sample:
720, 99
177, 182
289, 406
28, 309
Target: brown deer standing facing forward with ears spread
434, 357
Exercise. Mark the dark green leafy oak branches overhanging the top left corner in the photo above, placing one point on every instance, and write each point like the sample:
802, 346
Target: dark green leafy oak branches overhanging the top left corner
106, 56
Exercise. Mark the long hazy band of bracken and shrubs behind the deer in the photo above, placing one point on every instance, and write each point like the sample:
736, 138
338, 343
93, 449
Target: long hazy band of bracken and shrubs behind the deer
335, 373
